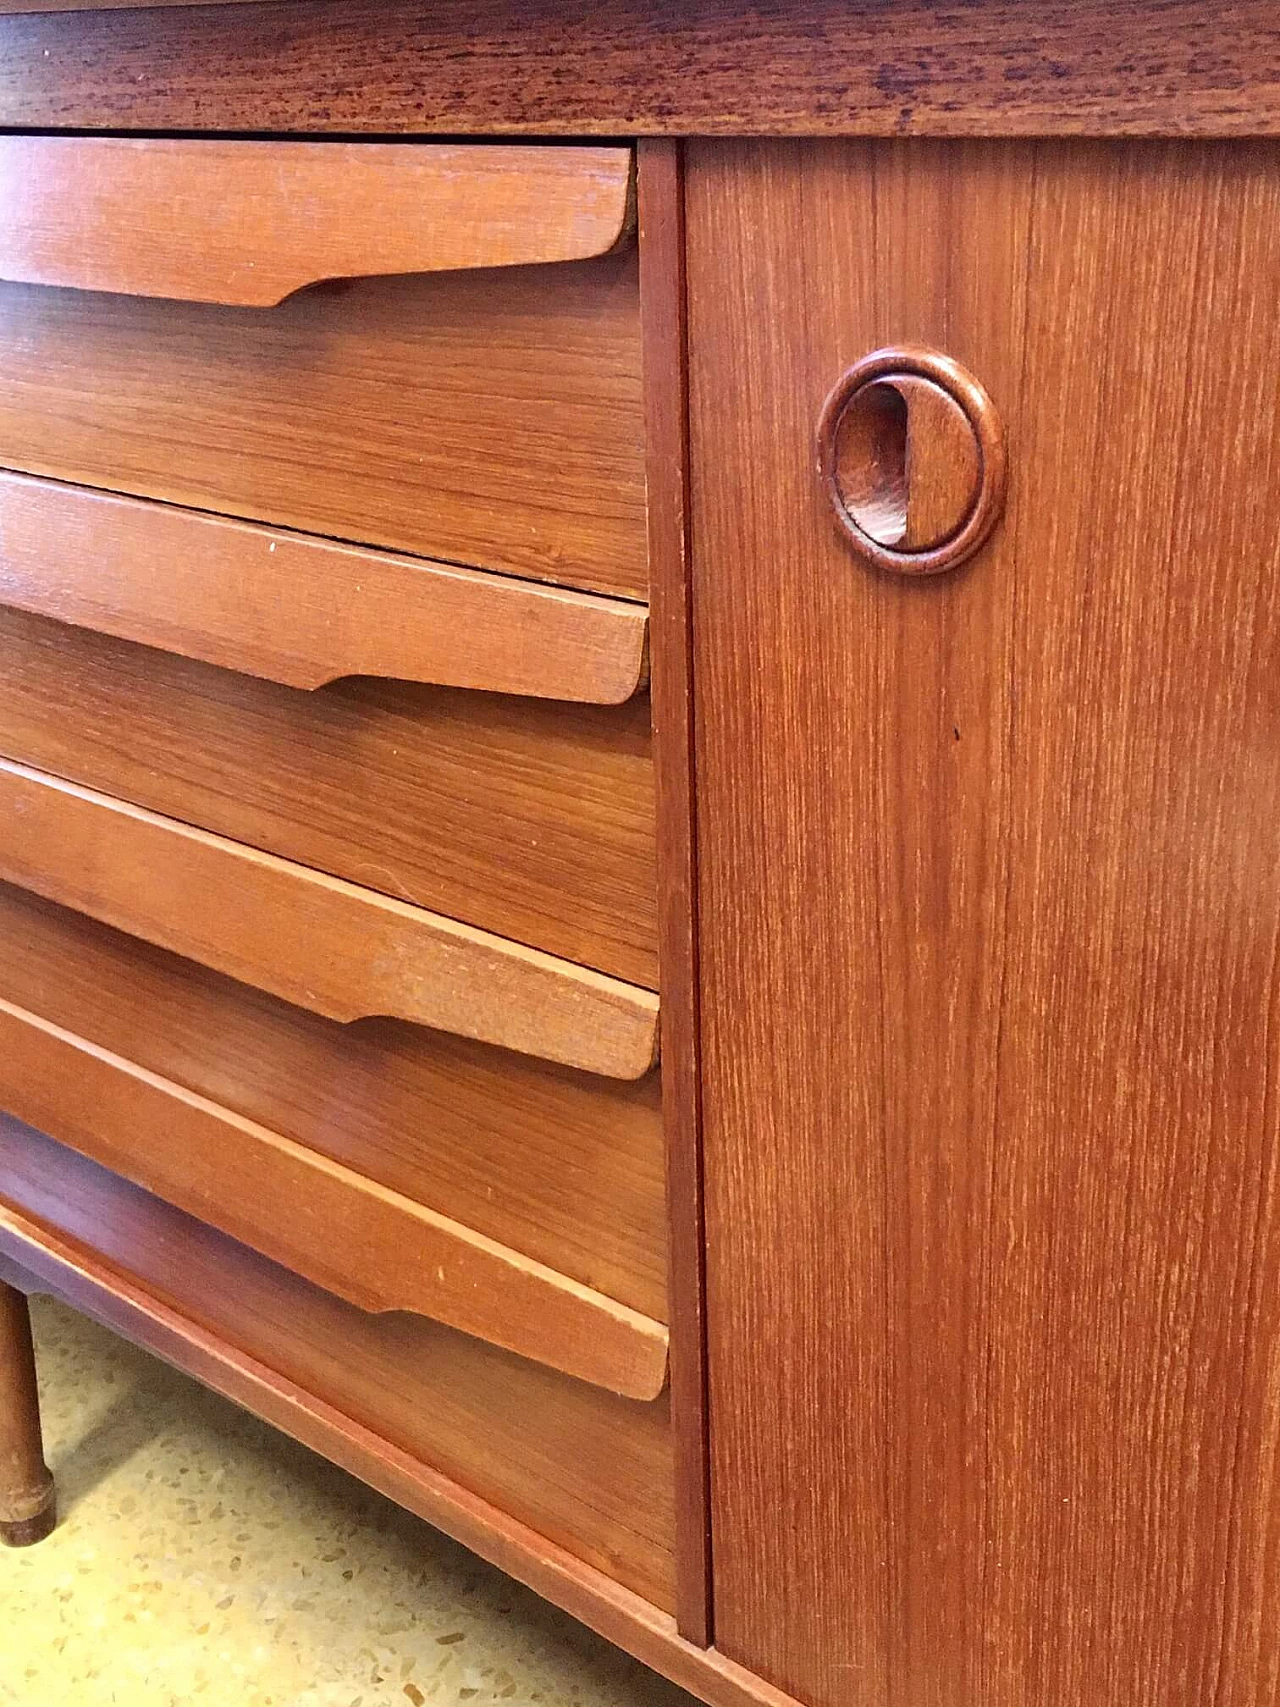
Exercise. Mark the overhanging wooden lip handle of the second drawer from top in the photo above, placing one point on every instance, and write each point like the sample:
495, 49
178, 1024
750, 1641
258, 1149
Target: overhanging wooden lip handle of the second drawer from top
300, 610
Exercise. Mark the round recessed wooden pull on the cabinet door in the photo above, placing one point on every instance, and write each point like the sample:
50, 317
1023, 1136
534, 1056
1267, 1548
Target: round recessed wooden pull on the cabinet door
914, 460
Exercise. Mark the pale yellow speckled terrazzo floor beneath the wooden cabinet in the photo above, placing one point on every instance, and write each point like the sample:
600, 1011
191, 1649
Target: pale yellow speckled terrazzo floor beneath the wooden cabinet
204, 1558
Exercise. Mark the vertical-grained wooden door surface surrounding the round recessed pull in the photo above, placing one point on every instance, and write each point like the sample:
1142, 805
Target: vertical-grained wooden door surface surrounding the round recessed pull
991, 931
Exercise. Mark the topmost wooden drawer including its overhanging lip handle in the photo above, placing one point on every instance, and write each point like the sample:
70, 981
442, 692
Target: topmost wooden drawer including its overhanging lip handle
416, 346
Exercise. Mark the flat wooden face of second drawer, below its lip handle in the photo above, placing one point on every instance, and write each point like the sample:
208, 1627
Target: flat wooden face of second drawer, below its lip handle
525, 819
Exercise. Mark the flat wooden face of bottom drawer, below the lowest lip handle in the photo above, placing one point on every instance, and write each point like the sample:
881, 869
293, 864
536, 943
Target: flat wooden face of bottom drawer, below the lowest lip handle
583, 1469
